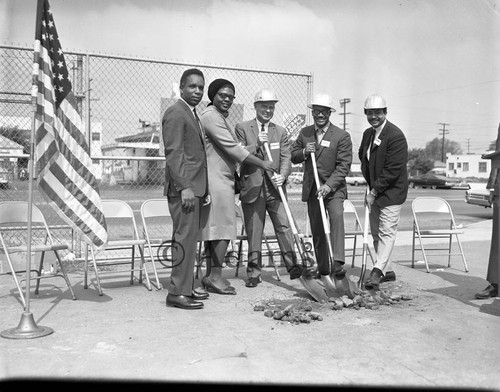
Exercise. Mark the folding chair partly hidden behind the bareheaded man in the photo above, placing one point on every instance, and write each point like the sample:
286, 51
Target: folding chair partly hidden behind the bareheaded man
157, 230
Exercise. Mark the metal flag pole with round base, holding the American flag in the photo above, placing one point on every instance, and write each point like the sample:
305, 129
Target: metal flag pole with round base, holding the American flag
27, 327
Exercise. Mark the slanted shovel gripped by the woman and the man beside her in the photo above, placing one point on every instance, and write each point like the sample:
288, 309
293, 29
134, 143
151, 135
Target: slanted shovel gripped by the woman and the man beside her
310, 284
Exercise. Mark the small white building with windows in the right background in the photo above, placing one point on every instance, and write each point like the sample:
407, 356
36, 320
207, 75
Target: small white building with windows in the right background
467, 165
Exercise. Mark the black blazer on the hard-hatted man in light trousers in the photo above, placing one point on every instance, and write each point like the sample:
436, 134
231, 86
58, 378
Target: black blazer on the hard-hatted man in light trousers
386, 170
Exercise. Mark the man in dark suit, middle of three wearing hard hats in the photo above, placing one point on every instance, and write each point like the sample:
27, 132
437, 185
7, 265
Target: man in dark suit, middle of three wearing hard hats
332, 148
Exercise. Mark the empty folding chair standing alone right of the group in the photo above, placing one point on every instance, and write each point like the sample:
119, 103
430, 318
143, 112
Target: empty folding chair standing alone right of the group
439, 224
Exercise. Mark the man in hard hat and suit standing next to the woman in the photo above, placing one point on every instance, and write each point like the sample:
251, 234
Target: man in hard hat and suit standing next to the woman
259, 191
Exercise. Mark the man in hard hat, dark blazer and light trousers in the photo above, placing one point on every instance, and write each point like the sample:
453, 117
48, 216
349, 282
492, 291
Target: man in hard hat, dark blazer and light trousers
384, 155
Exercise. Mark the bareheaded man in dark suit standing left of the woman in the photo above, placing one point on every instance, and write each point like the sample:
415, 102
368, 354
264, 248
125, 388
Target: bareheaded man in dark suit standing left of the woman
185, 186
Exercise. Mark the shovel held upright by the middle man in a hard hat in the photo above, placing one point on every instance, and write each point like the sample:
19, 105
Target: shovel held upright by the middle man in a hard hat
341, 286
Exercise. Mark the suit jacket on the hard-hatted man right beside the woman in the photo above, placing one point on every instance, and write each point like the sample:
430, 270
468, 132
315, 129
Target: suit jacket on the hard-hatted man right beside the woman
252, 177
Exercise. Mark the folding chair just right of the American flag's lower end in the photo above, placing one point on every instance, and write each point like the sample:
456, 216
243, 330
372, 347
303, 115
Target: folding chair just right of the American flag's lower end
123, 237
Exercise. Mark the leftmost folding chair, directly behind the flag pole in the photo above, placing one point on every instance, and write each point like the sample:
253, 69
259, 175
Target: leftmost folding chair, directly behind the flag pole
14, 218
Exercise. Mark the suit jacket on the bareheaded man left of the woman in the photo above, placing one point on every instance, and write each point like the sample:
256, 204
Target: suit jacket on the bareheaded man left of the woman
186, 160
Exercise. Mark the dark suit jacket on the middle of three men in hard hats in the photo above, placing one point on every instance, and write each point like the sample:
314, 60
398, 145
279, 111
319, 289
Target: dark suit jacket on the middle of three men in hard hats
333, 160
